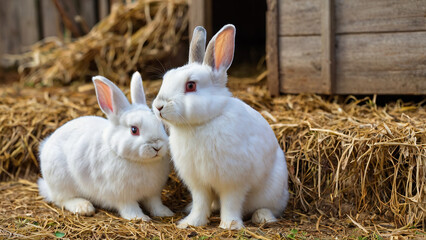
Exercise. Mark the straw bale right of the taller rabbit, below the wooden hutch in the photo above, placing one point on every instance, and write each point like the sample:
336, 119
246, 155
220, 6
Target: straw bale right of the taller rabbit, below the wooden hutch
352, 157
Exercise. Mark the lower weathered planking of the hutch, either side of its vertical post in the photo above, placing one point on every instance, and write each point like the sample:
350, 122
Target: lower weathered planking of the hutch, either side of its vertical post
385, 63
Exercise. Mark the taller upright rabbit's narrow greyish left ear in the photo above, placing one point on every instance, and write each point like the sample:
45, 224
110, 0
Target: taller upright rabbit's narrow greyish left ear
198, 45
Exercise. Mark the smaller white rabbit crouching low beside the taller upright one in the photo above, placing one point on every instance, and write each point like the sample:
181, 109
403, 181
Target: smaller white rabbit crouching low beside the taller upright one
112, 163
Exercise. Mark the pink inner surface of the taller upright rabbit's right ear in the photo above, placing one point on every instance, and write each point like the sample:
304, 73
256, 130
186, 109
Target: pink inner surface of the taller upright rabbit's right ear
224, 48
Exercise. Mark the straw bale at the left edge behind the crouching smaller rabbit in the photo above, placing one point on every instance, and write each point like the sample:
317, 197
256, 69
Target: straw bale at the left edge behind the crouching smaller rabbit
29, 115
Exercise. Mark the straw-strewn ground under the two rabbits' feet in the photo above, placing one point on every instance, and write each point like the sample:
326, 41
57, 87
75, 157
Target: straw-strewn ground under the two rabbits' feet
24, 214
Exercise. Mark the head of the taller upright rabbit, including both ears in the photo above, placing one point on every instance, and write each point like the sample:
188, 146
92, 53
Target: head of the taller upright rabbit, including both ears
196, 93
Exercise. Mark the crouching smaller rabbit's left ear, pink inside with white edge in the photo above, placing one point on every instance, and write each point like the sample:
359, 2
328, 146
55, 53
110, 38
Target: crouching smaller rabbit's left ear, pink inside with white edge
110, 98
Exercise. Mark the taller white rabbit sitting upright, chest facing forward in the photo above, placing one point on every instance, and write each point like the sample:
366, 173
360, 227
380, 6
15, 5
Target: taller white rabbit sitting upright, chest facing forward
221, 147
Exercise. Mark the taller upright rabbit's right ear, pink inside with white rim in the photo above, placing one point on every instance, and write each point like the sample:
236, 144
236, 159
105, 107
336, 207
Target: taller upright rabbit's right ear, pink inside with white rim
220, 51
